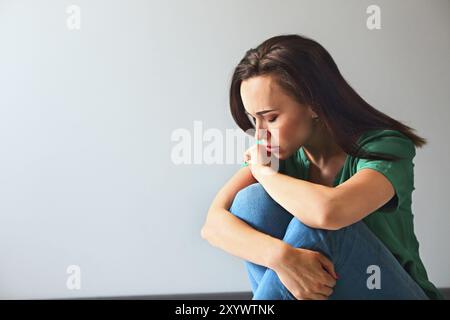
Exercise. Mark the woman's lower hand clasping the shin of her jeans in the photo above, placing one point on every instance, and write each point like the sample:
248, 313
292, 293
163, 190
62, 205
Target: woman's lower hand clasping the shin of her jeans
308, 275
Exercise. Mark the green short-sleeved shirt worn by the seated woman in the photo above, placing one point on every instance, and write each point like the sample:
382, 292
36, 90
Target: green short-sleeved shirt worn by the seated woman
393, 222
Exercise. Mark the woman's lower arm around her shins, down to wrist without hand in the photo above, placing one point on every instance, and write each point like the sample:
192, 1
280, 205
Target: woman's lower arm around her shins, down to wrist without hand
226, 231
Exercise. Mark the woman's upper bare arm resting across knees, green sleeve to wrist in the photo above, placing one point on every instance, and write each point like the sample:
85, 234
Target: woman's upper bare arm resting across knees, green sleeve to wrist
325, 207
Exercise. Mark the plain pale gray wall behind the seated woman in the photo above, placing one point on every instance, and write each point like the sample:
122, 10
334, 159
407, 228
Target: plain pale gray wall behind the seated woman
87, 116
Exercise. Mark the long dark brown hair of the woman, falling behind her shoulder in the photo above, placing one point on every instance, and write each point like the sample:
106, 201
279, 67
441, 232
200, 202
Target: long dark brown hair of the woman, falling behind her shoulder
306, 71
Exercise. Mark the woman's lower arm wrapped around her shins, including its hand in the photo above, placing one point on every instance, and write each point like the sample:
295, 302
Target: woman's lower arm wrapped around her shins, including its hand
301, 271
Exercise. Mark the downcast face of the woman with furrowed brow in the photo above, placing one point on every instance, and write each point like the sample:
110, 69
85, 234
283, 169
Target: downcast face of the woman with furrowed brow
288, 124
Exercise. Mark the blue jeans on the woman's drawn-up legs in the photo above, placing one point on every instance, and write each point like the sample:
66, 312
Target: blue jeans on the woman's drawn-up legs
357, 254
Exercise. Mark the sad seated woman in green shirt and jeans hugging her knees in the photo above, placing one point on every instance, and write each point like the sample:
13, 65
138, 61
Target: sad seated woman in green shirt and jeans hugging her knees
334, 221
